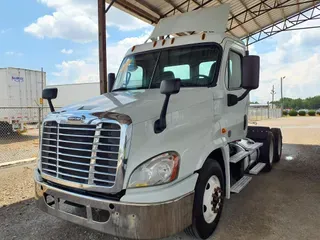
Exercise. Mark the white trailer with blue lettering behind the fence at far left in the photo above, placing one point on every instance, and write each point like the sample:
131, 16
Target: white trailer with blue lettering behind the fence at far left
19, 96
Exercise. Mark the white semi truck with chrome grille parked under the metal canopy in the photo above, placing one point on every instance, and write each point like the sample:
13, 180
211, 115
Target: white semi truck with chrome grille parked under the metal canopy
162, 151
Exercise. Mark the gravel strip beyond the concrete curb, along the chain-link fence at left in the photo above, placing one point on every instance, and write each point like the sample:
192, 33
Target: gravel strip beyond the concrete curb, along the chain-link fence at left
19, 146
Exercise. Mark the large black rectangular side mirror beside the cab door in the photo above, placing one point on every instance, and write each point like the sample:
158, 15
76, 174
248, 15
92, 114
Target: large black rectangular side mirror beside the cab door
250, 72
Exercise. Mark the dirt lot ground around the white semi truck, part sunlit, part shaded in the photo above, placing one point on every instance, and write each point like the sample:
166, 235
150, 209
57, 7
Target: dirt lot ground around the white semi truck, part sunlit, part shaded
283, 204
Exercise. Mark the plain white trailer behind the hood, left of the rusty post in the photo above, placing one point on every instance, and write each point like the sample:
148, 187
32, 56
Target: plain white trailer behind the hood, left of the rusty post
74, 93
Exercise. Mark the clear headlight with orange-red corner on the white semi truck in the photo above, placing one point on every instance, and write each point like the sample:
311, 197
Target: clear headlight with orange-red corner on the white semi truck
158, 170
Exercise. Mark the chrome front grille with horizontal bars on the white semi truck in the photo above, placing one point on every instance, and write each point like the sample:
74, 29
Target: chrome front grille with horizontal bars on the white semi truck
86, 154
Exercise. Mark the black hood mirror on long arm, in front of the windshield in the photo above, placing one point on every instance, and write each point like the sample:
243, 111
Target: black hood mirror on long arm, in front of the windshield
167, 87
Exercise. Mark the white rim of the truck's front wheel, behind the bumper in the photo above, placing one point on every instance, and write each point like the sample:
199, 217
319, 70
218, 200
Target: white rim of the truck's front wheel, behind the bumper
212, 199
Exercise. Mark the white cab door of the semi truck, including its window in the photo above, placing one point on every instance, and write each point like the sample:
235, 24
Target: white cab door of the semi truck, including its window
236, 115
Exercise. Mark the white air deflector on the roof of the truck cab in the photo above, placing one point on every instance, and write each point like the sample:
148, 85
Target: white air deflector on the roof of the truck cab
206, 19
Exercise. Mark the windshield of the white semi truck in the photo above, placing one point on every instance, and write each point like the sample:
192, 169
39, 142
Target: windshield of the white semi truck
194, 65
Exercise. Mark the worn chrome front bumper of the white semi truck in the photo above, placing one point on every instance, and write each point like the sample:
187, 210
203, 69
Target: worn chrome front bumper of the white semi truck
134, 221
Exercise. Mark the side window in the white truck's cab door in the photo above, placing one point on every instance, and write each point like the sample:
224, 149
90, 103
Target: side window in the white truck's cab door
234, 70
